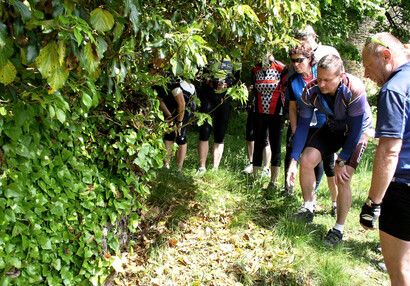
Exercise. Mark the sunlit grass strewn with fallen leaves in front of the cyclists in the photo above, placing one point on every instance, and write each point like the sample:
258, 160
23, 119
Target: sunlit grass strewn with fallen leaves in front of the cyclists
215, 230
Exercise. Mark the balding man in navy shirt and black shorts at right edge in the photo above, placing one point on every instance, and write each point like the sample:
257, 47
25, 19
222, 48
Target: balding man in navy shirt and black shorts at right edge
386, 62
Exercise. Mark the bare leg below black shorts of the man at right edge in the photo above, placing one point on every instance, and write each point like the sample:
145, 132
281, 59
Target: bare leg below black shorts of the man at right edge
396, 254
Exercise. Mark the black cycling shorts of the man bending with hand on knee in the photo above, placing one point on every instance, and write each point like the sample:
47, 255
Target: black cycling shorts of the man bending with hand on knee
329, 142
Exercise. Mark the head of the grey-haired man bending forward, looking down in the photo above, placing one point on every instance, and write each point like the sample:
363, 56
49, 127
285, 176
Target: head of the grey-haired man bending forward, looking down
330, 71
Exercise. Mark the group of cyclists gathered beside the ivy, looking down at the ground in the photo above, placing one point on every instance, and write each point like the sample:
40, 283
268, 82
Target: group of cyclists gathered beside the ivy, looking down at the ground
330, 121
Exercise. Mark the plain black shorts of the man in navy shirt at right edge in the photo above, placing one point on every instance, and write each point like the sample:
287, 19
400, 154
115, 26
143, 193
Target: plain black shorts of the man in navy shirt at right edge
395, 211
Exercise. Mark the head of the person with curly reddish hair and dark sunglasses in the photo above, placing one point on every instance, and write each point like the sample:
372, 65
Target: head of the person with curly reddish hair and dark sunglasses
302, 57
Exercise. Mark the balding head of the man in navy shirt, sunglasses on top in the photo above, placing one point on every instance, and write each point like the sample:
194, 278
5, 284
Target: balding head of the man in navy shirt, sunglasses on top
382, 54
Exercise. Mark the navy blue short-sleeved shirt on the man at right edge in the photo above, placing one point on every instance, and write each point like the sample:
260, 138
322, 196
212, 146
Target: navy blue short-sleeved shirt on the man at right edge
393, 112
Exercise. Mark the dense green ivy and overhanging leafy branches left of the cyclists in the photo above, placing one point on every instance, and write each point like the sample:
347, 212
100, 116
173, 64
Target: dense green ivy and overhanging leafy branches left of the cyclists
78, 135
